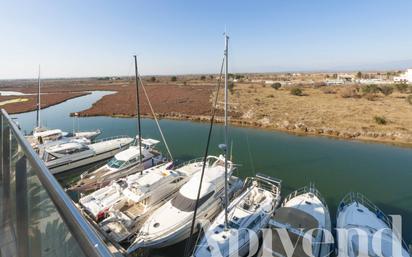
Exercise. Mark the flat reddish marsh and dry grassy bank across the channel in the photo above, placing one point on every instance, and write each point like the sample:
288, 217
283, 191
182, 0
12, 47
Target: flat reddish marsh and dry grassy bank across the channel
344, 112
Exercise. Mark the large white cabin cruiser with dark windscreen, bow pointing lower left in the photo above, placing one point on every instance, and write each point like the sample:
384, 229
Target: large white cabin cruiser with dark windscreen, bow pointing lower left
160, 230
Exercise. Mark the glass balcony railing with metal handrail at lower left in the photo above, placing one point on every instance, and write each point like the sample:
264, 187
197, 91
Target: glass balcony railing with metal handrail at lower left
37, 218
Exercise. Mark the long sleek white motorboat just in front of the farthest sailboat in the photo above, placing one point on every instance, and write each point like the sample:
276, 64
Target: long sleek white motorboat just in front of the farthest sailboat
68, 155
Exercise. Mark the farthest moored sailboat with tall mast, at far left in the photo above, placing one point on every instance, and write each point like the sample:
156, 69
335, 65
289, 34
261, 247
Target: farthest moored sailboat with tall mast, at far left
42, 135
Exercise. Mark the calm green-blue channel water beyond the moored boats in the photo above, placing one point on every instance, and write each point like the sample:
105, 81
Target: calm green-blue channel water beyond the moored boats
381, 172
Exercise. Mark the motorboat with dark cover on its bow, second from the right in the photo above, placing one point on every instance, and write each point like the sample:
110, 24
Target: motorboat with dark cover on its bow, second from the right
302, 211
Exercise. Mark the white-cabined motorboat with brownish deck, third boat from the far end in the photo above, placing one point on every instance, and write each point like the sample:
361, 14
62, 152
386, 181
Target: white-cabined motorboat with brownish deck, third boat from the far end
121, 165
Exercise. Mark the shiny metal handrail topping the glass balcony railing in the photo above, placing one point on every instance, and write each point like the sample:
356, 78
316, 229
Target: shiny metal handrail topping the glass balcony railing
89, 242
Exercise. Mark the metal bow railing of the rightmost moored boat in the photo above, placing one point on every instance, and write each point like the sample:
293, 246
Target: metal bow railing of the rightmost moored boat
361, 199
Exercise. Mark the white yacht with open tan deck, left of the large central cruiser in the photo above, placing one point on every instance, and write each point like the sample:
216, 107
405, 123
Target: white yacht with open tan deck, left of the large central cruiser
142, 196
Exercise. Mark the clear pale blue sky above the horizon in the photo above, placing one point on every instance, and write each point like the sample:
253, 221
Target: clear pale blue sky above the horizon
71, 38
